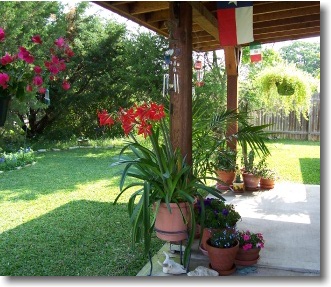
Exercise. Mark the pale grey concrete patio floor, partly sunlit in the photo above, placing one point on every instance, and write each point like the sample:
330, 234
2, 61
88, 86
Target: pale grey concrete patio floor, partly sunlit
289, 218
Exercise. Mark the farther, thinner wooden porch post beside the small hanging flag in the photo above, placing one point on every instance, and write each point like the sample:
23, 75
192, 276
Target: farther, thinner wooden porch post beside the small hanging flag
232, 59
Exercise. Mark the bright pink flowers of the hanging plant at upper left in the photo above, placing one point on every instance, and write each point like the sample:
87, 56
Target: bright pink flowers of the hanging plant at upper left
22, 72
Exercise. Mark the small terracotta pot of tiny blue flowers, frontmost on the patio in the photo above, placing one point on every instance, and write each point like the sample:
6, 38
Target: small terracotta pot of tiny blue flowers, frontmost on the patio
222, 249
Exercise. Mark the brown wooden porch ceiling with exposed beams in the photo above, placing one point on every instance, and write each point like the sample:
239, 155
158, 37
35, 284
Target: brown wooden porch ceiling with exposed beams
273, 21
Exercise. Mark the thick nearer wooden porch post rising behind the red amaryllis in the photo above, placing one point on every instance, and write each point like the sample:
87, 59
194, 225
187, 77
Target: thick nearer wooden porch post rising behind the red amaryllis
181, 93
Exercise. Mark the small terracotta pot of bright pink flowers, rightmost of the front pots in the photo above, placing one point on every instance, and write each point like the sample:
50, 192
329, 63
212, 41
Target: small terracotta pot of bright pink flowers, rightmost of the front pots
250, 245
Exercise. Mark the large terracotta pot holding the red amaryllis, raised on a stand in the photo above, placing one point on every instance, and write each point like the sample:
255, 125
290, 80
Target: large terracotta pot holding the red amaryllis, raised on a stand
171, 226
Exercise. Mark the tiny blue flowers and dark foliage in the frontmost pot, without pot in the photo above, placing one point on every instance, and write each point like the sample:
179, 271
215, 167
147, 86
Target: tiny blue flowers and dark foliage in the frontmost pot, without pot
225, 238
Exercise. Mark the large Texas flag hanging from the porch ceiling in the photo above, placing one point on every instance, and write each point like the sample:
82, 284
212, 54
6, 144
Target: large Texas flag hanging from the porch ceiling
235, 22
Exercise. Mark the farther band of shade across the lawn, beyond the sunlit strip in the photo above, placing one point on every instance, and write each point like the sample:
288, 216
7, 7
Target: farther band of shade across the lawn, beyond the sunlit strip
59, 172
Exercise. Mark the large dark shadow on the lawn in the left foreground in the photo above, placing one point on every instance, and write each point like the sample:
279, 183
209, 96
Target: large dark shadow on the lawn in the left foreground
81, 238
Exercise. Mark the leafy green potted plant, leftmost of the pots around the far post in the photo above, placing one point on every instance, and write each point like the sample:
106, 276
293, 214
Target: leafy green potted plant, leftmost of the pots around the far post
224, 162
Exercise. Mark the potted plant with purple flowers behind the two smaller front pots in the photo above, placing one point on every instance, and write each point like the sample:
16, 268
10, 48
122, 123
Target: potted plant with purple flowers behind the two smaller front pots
214, 214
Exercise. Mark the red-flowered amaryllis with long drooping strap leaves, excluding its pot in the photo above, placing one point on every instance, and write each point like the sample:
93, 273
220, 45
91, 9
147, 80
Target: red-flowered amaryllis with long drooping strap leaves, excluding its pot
160, 174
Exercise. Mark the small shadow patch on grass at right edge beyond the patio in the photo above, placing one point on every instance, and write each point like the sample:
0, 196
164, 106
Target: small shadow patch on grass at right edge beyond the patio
310, 168
